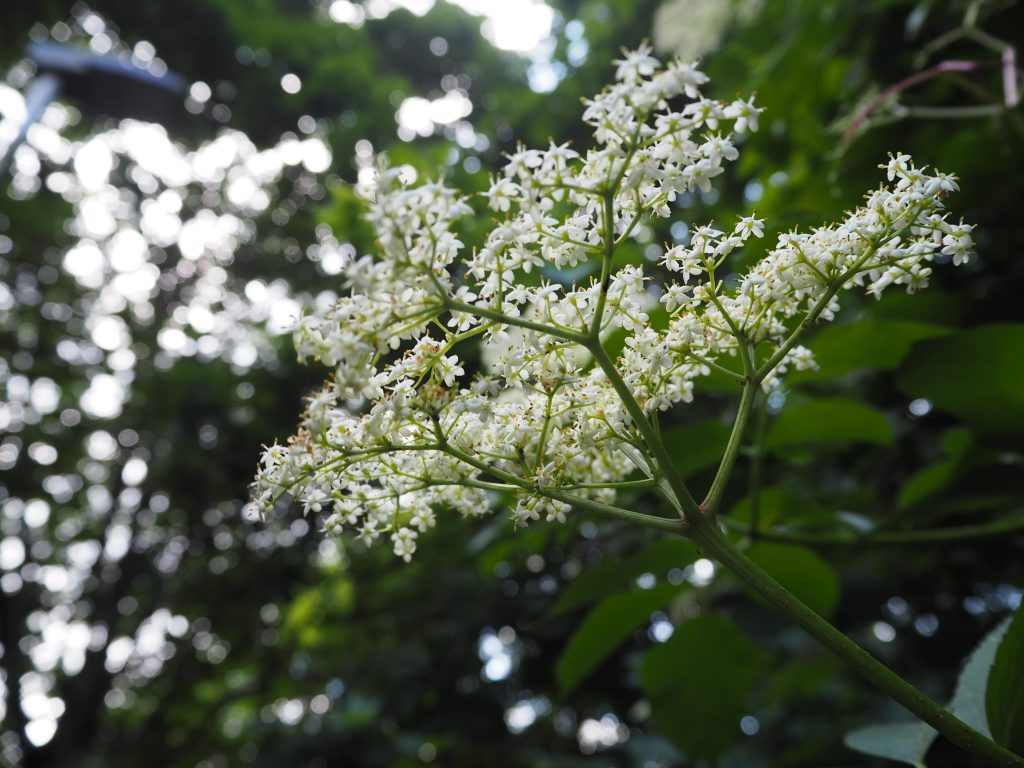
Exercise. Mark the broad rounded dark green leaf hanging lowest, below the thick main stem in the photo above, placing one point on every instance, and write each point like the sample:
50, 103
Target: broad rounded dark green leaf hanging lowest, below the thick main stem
699, 684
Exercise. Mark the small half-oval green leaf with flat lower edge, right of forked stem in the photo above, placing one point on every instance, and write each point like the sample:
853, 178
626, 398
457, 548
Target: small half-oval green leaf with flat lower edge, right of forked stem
835, 420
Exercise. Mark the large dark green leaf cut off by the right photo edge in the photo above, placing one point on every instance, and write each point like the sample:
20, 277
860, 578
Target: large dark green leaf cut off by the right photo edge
977, 375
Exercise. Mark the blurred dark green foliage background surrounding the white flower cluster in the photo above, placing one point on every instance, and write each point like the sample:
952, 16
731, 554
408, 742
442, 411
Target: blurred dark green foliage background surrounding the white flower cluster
585, 645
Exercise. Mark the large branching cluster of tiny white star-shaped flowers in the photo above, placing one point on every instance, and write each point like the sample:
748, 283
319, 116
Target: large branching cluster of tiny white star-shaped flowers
406, 428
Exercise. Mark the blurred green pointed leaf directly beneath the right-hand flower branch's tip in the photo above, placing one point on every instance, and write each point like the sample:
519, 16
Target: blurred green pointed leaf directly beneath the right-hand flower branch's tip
867, 344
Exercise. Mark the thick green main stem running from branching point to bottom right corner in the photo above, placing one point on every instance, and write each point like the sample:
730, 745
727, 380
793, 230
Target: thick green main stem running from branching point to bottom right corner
714, 542
